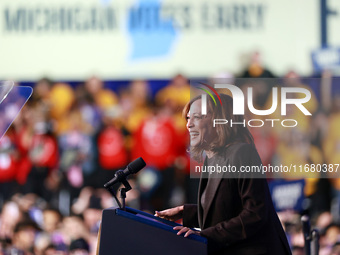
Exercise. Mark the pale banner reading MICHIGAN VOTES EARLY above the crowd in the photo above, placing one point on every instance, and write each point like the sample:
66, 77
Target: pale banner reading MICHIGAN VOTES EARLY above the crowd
119, 39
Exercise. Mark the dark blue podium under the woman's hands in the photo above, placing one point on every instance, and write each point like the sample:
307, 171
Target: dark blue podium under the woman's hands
133, 232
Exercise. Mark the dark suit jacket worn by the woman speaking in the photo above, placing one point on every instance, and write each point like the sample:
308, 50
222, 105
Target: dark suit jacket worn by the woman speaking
238, 216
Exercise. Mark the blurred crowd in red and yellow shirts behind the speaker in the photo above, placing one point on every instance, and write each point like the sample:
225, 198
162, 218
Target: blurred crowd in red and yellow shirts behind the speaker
69, 140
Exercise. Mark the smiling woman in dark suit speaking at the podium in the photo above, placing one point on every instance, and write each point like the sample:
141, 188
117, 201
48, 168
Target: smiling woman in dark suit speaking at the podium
234, 211
